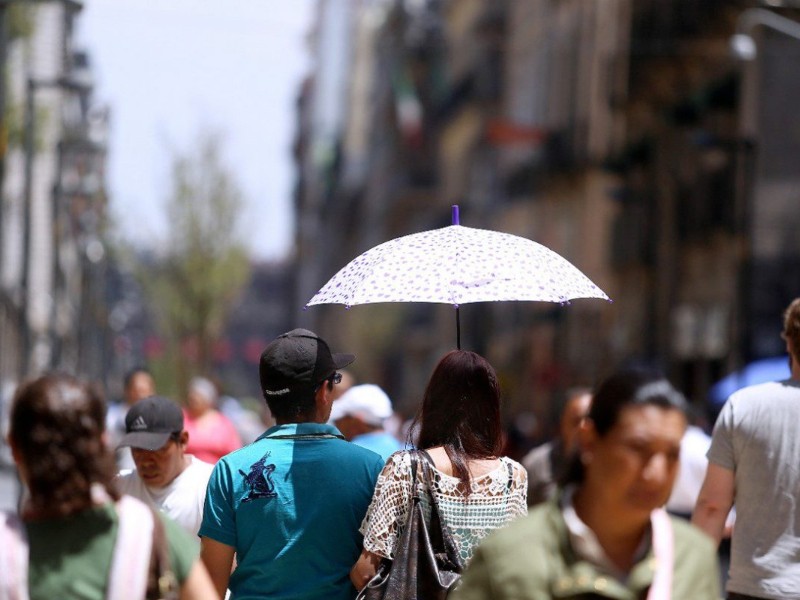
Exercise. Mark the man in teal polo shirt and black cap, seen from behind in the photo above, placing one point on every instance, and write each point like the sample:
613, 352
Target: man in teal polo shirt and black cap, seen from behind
289, 505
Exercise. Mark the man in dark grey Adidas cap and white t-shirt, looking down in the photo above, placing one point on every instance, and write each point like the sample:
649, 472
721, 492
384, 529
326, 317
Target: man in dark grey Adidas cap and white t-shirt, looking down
165, 477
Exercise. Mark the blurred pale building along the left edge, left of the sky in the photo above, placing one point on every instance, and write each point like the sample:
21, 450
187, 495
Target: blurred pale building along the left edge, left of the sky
53, 255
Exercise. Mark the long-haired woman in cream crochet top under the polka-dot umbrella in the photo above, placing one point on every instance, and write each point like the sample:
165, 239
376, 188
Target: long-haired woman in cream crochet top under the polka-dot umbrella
475, 489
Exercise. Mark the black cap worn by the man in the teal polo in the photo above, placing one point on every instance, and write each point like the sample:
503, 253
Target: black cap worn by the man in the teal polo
296, 360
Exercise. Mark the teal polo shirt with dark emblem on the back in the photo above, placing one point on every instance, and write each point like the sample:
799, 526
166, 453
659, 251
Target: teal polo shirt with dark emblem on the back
291, 504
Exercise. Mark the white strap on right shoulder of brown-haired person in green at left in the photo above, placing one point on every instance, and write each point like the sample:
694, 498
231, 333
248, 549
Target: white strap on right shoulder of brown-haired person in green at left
130, 565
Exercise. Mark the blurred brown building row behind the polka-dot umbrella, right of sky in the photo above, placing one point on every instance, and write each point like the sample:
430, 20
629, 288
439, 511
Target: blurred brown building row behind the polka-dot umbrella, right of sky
623, 134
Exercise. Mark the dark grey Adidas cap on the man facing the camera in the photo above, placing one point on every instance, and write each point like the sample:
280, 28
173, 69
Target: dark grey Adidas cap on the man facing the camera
150, 423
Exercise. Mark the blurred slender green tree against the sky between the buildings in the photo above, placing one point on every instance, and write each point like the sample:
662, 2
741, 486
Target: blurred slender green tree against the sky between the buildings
192, 288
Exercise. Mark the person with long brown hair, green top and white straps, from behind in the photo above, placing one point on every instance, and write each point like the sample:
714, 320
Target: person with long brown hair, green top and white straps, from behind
84, 541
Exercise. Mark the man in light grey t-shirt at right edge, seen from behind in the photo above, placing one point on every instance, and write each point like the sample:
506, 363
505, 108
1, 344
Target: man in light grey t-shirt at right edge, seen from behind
752, 467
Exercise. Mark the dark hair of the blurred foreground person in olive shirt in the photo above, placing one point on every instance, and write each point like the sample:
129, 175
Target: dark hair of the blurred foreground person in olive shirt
627, 387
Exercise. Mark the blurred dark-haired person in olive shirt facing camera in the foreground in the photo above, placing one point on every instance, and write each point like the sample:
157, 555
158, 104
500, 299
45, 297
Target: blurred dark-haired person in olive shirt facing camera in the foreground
606, 535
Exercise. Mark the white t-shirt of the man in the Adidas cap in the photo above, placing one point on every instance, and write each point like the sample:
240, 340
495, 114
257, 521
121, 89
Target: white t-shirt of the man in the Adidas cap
182, 500
